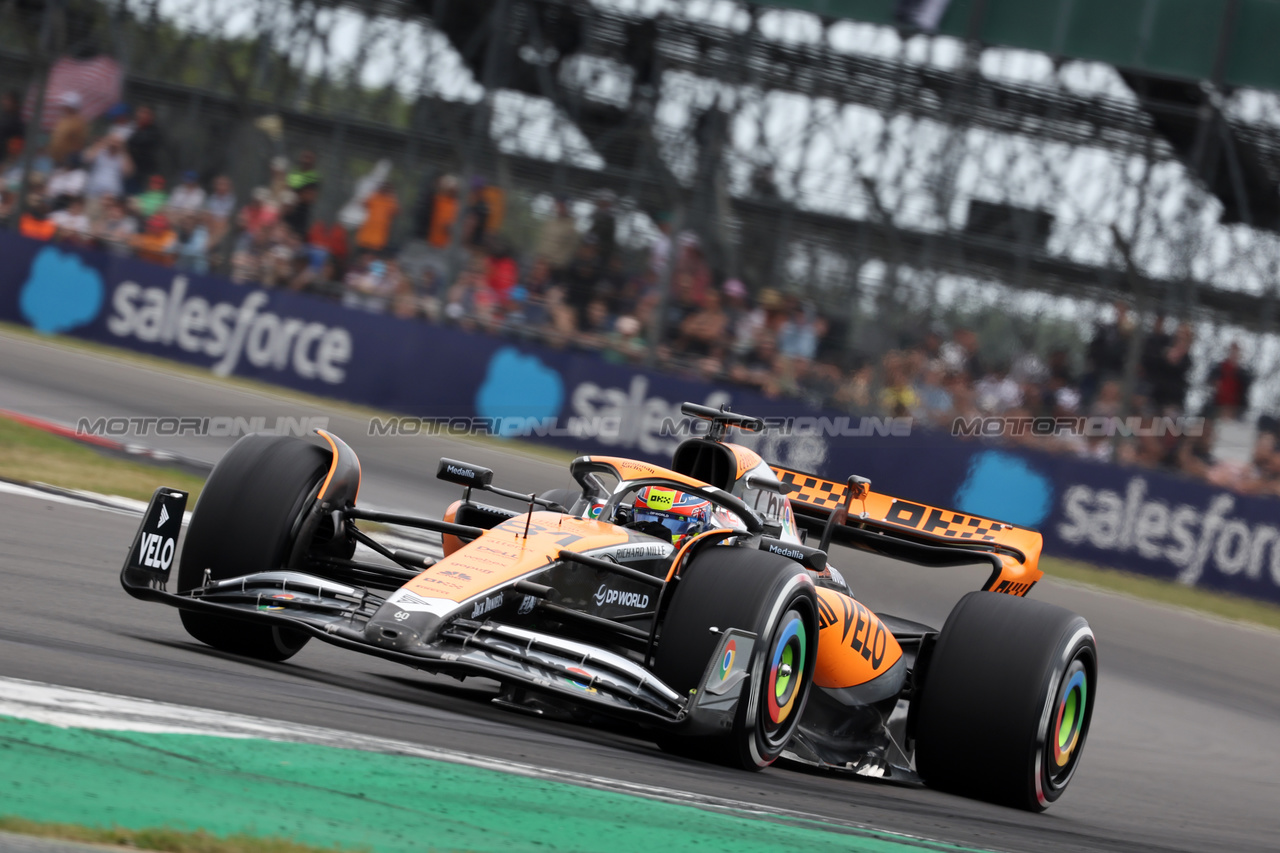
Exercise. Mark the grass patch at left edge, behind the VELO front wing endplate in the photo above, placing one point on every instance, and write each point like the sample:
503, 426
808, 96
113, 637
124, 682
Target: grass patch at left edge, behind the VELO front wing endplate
34, 455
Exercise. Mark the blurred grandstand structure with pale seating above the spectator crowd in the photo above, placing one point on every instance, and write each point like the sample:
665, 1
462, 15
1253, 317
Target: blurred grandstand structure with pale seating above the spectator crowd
1171, 104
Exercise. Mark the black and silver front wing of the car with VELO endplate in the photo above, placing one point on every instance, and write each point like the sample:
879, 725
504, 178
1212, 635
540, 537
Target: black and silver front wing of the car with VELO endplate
340, 614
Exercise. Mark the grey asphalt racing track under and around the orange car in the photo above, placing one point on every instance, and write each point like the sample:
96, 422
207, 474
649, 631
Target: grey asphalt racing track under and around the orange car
1182, 756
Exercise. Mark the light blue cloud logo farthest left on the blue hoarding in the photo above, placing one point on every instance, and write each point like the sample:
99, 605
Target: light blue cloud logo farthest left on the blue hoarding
62, 294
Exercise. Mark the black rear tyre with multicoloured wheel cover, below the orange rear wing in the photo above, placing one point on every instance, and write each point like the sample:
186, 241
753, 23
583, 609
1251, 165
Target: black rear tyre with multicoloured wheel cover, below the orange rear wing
1007, 701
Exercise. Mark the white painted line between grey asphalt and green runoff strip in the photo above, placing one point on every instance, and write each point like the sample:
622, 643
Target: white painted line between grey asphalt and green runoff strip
74, 708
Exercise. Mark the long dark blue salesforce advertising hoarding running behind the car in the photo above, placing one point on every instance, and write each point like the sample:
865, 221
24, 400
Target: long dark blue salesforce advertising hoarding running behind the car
1140, 521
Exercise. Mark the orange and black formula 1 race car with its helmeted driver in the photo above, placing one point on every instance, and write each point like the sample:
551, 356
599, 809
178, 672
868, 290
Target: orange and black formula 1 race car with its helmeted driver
696, 601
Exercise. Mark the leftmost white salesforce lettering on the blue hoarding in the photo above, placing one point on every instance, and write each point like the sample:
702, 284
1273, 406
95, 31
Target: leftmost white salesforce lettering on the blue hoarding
230, 332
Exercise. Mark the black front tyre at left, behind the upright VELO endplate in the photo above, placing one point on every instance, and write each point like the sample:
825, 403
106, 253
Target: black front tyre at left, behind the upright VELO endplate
245, 522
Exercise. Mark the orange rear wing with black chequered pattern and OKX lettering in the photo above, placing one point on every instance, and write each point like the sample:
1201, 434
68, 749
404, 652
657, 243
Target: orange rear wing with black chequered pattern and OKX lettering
852, 514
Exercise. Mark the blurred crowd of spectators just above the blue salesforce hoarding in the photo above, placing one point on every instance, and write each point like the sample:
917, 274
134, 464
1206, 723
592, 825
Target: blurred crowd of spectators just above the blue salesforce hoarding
447, 261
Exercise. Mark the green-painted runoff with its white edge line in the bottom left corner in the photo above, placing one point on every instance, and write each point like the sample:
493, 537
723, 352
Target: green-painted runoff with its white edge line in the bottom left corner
84, 758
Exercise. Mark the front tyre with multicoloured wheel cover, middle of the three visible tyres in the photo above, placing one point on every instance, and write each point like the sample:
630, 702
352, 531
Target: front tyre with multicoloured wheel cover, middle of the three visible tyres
758, 592
